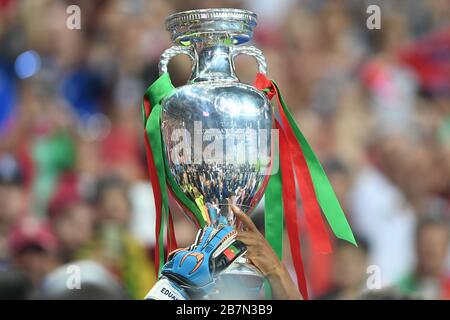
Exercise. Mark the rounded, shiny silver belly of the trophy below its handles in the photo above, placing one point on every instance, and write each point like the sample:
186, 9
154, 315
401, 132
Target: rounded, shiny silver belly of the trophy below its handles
235, 119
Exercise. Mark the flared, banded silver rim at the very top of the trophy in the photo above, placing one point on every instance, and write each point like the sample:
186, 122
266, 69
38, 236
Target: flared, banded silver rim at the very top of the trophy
195, 25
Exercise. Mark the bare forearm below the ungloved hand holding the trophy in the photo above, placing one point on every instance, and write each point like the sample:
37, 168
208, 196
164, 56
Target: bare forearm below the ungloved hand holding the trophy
283, 288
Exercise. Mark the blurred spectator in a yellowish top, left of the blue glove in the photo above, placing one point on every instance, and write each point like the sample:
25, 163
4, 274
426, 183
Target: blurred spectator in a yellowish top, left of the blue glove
112, 244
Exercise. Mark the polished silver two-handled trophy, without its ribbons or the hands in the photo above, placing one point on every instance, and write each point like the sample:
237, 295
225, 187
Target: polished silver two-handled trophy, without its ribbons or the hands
216, 130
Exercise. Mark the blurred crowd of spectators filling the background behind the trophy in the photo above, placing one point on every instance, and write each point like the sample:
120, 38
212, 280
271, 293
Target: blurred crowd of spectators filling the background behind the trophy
74, 189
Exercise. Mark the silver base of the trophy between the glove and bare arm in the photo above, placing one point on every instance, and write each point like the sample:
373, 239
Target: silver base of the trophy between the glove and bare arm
241, 280
